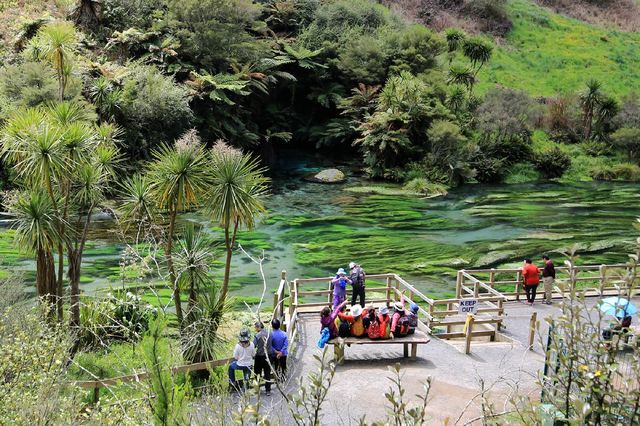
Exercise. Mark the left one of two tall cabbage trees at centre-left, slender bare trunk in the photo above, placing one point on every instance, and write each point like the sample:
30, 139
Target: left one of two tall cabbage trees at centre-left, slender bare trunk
179, 178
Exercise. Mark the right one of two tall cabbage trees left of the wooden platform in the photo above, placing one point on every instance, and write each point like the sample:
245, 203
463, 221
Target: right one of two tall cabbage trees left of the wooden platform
234, 197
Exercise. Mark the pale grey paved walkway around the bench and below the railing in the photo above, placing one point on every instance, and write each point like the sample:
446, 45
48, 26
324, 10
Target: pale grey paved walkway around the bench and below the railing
505, 368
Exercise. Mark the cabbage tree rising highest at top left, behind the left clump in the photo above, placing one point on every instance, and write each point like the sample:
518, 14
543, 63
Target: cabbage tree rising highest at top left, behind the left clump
58, 40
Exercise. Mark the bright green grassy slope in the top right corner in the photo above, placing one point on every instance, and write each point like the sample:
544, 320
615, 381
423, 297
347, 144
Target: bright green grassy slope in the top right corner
546, 54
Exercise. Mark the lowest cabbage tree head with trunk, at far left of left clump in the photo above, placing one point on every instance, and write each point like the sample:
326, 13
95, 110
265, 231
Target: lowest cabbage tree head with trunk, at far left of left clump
37, 230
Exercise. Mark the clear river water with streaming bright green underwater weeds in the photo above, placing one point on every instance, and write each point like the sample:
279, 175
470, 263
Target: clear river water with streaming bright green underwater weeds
312, 229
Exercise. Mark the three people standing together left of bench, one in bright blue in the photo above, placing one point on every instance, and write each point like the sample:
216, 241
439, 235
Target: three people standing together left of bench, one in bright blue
267, 350
